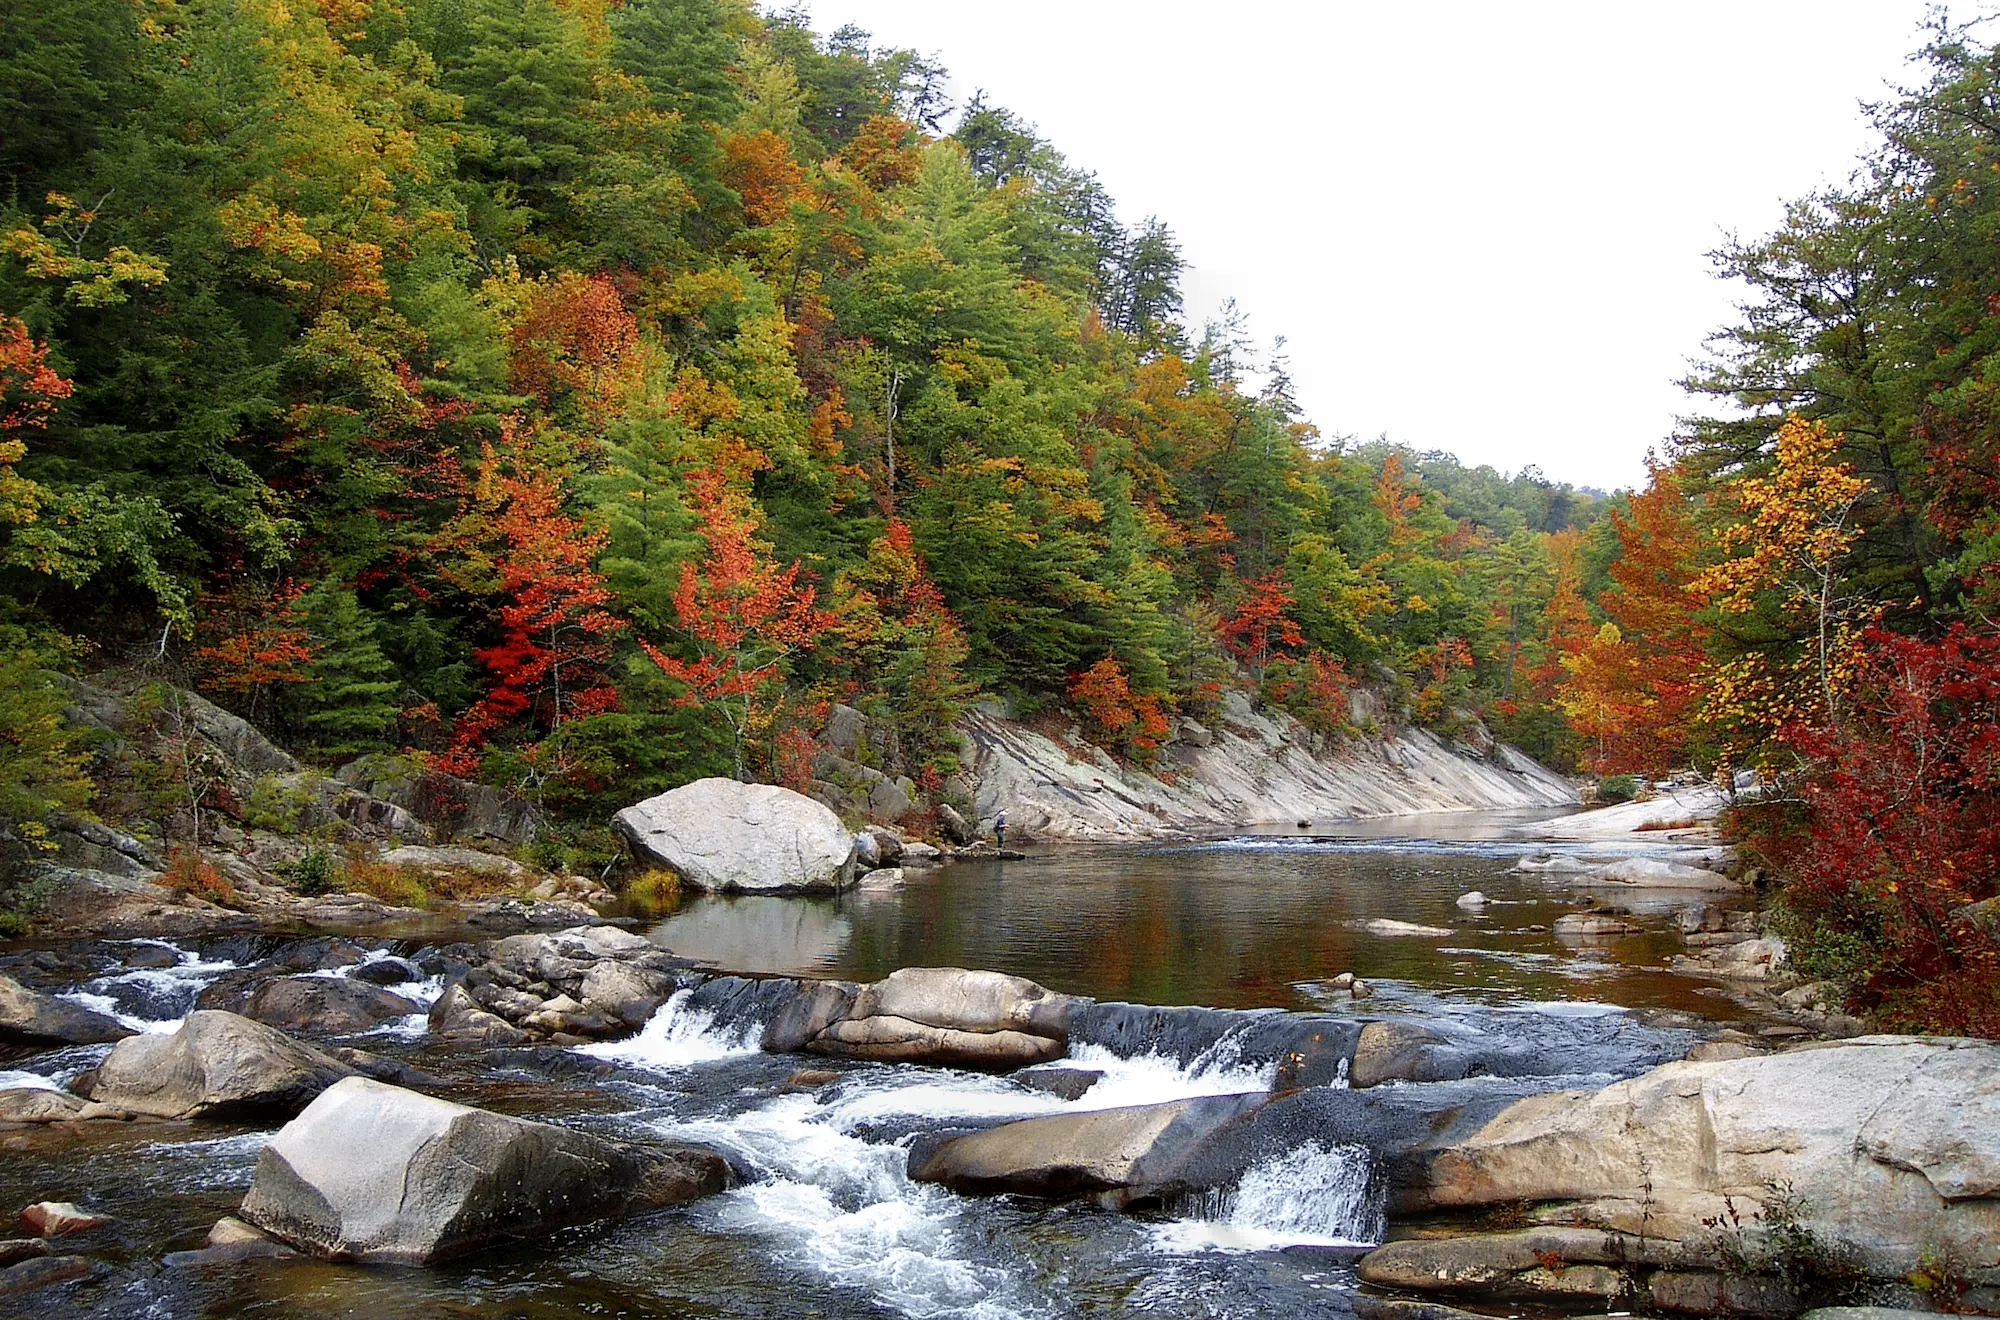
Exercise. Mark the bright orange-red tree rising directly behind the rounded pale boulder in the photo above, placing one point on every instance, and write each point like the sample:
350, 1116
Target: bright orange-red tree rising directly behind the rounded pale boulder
741, 617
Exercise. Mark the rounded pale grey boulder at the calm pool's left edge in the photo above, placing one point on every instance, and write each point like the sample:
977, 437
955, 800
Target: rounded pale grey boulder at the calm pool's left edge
727, 837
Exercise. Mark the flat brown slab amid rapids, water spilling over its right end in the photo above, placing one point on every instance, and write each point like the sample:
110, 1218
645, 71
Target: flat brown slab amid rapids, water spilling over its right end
1121, 1155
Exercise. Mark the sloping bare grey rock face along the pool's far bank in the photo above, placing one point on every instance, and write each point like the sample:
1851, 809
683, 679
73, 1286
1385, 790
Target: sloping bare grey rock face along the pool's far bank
1251, 769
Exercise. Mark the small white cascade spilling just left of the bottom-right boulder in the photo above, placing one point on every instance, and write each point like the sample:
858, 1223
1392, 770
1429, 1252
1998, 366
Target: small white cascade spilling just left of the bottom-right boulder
1307, 1197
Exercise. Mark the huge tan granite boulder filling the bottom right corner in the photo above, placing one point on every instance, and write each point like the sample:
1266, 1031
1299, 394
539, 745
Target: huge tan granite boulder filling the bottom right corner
1891, 1145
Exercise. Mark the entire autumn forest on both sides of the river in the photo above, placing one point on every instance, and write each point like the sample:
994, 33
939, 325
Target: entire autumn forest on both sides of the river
585, 395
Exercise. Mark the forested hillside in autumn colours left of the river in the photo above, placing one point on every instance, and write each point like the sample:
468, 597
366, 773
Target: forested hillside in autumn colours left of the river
587, 395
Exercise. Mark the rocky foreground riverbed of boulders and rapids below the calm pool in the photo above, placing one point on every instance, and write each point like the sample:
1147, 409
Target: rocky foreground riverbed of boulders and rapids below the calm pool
261, 1123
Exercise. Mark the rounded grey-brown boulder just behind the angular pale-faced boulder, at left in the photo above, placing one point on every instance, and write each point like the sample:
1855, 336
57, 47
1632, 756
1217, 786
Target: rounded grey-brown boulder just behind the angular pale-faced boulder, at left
217, 1065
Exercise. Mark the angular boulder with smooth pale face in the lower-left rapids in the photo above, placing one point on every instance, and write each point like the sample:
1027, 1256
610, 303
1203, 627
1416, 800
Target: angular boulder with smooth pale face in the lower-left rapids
385, 1175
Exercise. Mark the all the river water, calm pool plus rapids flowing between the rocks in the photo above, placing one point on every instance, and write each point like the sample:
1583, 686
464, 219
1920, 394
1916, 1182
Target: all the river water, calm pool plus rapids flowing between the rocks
825, 1219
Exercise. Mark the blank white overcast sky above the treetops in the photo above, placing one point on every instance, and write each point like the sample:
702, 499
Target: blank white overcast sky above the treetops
1481, 225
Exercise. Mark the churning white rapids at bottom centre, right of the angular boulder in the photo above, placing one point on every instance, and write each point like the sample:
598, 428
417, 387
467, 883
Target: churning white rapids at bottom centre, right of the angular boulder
847, 1209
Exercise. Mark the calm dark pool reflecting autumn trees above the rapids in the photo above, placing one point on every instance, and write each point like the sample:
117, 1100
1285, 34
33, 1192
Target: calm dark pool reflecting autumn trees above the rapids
1241, 923
